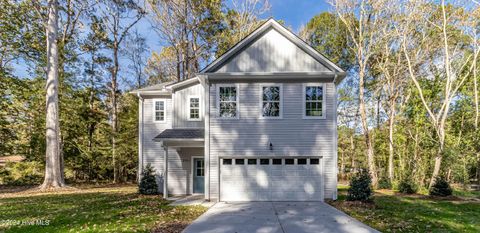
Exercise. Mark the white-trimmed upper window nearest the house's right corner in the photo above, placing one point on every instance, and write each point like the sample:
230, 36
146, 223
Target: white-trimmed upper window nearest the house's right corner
314, 101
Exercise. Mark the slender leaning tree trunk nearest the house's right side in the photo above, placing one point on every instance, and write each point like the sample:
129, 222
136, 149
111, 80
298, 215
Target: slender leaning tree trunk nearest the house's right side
368, 141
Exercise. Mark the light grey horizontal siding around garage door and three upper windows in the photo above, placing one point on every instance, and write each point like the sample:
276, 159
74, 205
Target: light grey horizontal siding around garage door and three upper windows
291, 136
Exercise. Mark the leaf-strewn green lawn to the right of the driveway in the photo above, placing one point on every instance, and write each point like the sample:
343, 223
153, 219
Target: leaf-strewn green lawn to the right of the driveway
392, 212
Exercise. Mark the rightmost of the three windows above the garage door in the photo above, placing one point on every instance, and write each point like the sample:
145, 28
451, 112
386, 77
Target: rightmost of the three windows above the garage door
314, 101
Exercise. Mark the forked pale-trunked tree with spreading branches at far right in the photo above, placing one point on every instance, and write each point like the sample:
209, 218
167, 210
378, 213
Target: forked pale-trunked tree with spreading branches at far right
429, 29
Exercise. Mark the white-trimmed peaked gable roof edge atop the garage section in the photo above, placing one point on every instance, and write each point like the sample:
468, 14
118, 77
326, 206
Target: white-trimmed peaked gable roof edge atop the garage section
259, 32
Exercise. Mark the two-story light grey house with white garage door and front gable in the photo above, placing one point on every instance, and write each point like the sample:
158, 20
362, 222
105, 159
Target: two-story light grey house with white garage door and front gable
257, 124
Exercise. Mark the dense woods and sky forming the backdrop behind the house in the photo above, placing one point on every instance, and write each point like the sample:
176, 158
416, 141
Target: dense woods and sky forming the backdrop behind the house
408, 109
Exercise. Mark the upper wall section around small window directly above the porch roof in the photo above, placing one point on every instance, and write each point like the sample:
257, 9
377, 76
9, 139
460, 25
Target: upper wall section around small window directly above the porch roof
181, 107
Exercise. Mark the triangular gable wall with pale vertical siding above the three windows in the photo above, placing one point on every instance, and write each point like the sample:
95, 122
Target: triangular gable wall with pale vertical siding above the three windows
272, 53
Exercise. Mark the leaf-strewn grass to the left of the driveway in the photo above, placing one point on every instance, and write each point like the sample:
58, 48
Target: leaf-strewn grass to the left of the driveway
92, 209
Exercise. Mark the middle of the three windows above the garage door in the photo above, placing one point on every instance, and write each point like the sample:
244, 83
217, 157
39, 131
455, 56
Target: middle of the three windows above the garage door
271, 101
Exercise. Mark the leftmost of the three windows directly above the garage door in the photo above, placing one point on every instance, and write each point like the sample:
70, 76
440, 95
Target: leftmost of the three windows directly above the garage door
227, 101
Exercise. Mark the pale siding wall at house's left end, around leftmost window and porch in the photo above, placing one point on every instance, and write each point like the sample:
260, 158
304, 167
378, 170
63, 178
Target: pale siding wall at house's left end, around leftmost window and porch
179, 166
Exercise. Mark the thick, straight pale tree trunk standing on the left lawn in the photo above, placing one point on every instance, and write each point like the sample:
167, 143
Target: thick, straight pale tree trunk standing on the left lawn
53, 166
